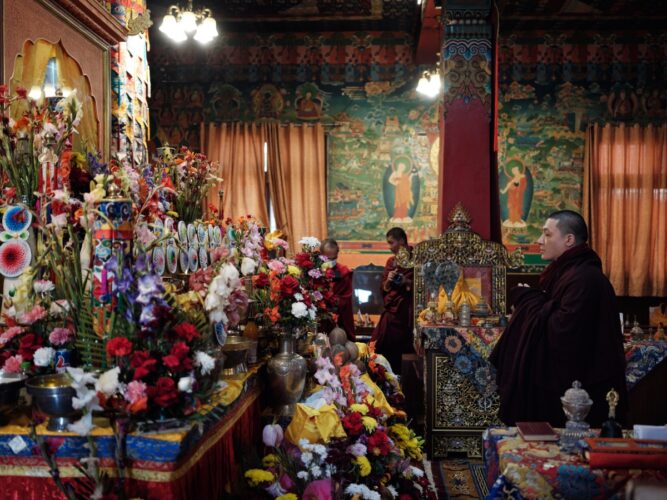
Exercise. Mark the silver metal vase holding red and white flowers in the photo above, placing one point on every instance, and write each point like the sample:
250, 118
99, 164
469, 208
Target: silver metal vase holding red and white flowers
286, 373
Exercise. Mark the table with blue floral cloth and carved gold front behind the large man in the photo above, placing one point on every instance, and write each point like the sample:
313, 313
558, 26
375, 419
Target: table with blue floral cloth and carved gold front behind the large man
460, 384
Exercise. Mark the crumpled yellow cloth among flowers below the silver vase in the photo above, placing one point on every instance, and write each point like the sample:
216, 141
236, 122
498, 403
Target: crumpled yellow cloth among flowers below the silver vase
314, 425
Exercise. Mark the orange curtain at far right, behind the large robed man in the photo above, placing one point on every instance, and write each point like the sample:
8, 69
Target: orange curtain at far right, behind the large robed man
625, 200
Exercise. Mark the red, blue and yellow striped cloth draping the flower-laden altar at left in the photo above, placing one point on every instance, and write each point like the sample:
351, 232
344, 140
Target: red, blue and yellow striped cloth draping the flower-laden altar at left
198, 460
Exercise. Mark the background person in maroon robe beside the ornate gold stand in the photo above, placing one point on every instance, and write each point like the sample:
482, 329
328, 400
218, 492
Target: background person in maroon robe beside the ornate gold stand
393, 334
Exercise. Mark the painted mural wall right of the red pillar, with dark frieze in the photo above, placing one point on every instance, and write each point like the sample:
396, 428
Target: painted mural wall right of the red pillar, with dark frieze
550, 88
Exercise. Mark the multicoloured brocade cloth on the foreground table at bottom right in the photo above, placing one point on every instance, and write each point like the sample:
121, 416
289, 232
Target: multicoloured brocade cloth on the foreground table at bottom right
520, 469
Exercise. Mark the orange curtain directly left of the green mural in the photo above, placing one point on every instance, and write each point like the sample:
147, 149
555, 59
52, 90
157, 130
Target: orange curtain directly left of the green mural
297, 177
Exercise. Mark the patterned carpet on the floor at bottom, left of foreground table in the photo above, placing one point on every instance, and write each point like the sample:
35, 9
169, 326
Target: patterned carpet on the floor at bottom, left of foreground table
459, 479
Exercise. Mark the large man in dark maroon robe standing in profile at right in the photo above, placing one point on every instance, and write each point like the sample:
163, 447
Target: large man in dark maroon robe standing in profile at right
568, 329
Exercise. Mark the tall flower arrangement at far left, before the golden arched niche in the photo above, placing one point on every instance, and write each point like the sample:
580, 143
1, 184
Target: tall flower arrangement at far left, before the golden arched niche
39, 135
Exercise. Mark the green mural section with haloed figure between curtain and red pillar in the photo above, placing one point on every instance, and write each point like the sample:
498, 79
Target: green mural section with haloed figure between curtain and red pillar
383, 171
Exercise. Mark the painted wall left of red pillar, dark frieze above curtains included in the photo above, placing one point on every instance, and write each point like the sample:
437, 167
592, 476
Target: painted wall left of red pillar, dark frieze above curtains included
383, 145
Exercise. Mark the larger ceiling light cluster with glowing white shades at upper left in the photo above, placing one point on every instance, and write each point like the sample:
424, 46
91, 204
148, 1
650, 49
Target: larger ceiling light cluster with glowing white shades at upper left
179, 22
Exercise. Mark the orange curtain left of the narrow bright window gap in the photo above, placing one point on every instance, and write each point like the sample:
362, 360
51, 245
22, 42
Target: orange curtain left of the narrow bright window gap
238, 148
